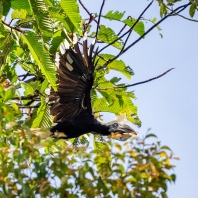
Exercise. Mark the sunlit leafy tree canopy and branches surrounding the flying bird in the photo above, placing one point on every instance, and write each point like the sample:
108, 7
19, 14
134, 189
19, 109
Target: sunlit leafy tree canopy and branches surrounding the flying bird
31, 32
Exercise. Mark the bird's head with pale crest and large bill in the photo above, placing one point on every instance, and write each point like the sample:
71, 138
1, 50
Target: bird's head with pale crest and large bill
119, 130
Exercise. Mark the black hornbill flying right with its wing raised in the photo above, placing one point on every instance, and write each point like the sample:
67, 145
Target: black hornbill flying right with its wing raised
72, 108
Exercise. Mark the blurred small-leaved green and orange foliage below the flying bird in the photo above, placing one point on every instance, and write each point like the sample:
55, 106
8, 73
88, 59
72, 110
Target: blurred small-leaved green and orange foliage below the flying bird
134, 169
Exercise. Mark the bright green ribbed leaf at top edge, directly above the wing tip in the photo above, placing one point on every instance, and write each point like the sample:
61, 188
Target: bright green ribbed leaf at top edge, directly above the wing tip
72, 11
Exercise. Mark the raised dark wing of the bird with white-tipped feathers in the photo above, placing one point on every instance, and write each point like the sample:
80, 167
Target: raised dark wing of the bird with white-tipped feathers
75, 80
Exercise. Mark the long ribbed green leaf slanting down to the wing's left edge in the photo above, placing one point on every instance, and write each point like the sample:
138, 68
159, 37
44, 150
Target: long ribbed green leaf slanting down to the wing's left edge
41, 57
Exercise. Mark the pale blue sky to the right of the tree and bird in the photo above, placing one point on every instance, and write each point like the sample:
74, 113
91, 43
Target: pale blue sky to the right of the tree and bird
169, 105
